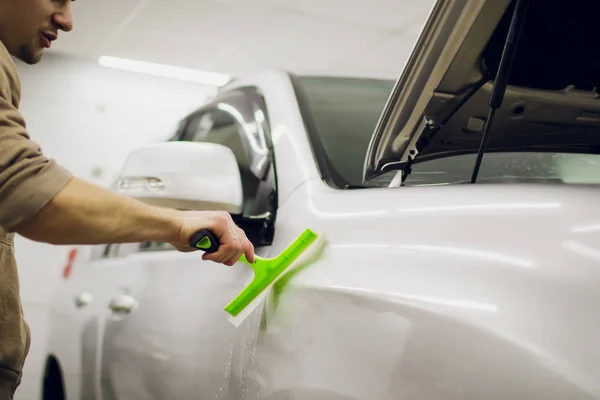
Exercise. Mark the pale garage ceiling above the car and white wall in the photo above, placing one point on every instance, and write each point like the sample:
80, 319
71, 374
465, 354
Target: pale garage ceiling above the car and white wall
349, 37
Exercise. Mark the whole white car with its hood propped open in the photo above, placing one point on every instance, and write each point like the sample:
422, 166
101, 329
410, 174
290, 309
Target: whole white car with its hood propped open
446, 275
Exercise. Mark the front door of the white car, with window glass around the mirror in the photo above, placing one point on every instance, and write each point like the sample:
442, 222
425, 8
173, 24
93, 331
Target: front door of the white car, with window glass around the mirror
167, 335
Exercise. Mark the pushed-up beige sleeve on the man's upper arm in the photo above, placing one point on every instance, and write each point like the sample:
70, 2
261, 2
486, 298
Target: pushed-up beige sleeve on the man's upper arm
28, 179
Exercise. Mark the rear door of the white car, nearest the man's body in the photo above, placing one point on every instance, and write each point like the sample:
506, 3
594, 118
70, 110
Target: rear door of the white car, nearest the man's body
77, 314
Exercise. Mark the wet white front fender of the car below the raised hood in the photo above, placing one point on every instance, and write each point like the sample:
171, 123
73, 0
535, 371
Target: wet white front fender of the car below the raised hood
427, 299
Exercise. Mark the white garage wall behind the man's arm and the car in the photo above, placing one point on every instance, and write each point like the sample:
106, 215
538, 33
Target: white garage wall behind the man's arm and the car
86, 117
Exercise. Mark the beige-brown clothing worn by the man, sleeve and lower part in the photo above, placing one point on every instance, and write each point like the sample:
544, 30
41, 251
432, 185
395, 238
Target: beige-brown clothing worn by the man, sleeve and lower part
28, 181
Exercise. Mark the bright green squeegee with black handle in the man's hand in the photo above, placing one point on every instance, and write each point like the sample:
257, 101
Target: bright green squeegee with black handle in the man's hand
266, 270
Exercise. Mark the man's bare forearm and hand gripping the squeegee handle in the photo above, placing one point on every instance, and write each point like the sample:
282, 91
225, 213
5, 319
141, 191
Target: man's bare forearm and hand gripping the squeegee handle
83, 213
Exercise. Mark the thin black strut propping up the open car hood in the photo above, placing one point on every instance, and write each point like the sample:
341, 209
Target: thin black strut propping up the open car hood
501, 79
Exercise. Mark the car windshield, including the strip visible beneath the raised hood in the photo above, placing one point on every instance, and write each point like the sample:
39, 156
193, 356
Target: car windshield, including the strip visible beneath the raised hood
342, 114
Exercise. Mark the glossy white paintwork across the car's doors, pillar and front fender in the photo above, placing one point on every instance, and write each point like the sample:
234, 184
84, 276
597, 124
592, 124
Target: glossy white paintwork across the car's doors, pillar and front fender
453, 292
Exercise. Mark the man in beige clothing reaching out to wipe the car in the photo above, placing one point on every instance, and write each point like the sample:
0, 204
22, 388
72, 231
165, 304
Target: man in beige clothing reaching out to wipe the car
42, 201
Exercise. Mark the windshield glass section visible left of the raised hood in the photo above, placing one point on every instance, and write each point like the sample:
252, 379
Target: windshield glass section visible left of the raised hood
341, 114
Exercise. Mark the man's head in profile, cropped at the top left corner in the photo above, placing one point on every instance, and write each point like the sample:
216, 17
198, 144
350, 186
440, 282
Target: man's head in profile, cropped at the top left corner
28, 26
